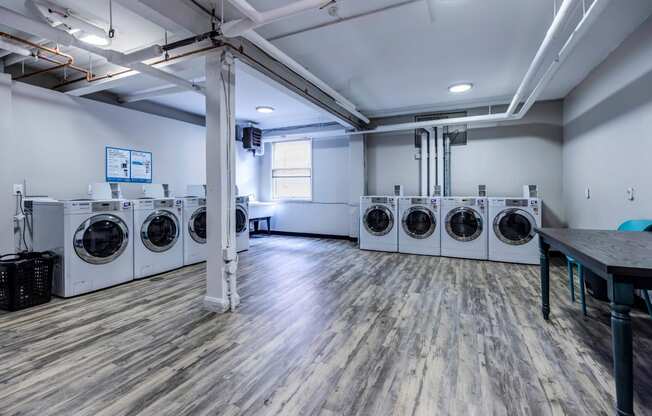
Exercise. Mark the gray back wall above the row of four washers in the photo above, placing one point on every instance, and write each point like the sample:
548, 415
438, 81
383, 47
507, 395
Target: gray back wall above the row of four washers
504, 157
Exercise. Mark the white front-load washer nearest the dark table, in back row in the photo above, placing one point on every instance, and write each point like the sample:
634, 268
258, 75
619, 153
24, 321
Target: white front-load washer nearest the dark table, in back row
513, 229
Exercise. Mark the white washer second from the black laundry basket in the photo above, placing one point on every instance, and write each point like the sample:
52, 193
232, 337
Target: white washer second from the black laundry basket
158, 244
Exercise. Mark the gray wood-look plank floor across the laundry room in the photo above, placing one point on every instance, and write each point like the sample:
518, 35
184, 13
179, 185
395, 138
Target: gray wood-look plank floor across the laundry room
324, 329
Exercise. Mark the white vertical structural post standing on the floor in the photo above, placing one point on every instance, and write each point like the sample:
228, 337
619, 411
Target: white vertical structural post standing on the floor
221, 265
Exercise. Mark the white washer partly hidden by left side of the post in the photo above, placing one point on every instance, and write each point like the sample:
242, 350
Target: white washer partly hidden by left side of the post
194, 230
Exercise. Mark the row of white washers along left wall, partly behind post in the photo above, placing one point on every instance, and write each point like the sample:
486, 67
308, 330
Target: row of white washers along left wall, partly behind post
103, 243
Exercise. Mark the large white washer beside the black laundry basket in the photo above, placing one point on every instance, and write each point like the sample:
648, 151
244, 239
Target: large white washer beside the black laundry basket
93, 238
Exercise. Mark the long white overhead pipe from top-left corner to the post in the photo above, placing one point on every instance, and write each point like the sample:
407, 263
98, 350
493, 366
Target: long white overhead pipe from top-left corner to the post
18, 21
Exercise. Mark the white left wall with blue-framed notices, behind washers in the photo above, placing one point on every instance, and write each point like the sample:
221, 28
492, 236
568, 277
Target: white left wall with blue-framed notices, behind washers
57, 142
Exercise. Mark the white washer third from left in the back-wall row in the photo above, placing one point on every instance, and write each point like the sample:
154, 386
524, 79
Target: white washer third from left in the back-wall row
464, 221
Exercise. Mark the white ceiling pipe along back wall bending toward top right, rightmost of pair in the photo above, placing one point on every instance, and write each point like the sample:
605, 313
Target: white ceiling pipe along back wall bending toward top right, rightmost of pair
594, 11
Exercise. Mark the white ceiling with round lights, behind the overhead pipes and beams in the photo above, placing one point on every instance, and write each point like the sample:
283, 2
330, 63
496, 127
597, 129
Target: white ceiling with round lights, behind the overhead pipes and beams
389, 61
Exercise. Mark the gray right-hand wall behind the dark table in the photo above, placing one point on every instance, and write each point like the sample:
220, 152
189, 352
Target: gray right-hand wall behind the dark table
608, 138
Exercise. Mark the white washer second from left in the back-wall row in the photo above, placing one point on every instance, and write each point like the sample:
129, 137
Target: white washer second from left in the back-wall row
420, 230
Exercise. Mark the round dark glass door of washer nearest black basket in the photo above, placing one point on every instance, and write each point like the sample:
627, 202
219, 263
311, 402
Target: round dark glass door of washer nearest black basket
101, 239
